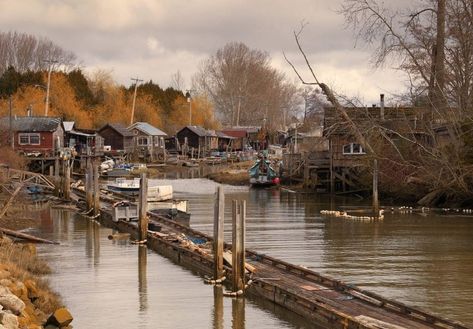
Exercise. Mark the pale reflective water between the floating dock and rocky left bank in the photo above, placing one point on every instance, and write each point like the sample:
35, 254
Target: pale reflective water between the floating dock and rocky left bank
114, 284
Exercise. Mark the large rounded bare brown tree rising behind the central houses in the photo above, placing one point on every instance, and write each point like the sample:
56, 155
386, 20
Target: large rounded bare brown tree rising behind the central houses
244, 87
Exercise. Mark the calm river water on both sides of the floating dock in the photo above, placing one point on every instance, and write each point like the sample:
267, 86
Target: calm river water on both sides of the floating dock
423, 261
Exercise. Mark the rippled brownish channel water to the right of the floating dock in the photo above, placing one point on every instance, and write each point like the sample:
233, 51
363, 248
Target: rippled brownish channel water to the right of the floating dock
423, 261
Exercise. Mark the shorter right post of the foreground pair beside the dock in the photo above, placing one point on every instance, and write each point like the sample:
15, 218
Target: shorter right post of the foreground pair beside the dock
238, 244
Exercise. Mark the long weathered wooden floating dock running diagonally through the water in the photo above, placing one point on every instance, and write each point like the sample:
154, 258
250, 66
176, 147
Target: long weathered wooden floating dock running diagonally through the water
329, 303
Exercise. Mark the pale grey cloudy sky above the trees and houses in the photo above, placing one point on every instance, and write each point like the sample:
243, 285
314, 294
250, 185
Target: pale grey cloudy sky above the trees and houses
153, 39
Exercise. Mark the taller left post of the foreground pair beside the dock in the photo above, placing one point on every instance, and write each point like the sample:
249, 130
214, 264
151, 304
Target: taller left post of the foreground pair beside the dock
219, 211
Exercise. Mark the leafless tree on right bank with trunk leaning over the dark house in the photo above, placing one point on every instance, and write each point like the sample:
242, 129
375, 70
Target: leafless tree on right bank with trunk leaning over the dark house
432, 45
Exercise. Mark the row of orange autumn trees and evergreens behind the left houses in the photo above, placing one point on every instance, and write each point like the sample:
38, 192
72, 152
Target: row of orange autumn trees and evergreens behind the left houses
93, 101
